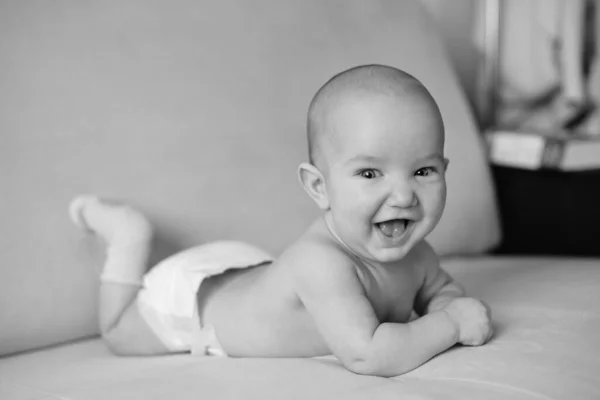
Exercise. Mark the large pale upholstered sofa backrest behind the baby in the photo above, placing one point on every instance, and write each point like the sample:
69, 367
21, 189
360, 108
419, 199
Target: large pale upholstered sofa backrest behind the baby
194, 111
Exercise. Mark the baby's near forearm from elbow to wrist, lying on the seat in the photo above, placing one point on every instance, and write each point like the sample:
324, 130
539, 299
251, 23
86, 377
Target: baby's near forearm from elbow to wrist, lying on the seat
398, 348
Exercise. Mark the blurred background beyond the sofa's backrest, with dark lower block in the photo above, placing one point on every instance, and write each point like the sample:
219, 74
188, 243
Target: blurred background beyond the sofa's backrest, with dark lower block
531, 70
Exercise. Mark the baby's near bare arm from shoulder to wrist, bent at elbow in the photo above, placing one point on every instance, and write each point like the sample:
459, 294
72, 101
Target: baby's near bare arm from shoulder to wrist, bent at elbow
328, 286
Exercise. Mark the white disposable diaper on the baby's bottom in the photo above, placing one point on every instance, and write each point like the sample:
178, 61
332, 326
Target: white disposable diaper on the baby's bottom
167, 302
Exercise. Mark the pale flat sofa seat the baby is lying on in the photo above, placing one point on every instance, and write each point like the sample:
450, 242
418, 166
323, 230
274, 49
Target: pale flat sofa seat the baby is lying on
546, 313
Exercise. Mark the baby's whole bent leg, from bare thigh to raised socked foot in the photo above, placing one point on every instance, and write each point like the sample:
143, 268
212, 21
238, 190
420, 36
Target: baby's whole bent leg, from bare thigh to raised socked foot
128, 238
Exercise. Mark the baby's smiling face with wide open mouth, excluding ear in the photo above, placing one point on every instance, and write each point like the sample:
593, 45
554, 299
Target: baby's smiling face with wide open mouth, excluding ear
385, 173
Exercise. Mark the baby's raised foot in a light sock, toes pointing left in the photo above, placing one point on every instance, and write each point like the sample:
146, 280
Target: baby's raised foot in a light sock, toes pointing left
117, 224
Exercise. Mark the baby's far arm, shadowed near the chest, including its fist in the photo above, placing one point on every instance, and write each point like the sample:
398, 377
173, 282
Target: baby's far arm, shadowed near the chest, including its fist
441, 292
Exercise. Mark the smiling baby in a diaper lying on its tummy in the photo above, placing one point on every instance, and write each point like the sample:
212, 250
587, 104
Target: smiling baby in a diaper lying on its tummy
348, 286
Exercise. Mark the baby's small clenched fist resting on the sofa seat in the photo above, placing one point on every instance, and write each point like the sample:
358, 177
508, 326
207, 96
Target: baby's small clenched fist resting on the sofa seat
472, 318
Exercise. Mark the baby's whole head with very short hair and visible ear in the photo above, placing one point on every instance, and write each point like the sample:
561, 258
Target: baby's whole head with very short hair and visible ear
377, 166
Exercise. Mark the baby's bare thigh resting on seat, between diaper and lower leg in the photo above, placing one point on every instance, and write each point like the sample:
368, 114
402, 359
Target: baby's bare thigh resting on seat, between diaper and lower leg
132, 336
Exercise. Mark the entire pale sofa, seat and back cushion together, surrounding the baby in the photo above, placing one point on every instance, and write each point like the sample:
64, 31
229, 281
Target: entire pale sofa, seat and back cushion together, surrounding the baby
194, 111
